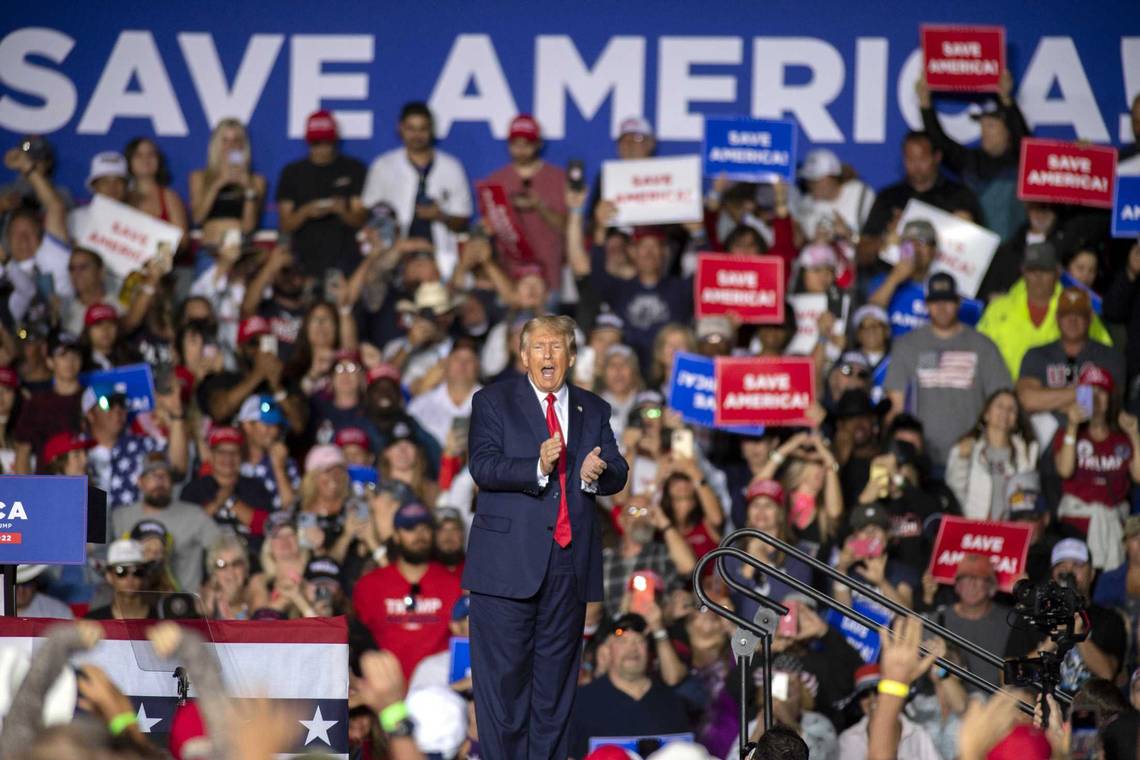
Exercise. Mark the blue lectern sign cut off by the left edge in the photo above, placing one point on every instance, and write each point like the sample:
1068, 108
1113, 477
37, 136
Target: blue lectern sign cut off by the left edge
43, 520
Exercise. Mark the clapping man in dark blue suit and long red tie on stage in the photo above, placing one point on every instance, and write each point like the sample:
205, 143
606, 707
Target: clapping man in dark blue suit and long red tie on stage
541, 452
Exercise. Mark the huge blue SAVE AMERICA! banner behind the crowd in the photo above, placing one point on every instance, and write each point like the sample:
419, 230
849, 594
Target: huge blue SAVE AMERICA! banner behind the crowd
94, 76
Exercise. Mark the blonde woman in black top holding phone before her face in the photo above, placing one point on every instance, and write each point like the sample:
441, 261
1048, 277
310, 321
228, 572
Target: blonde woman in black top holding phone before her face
227, 194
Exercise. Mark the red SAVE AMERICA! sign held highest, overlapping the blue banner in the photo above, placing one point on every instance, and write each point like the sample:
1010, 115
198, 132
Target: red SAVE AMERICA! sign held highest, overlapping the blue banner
964, 59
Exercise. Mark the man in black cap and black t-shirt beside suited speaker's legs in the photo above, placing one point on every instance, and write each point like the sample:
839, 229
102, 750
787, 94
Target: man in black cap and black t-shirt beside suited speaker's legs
629, 701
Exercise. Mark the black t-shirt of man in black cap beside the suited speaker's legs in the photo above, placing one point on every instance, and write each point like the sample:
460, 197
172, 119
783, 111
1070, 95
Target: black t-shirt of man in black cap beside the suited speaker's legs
604, 710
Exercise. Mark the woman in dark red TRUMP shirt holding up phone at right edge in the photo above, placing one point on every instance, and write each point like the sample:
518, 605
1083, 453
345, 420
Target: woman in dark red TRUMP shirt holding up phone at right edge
1098, 459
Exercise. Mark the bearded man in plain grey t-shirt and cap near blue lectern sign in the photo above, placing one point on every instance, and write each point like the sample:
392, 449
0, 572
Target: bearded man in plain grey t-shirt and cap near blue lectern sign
193, 529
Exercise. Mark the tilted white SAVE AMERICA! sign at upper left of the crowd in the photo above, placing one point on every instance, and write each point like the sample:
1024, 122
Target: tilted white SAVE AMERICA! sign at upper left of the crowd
125, 238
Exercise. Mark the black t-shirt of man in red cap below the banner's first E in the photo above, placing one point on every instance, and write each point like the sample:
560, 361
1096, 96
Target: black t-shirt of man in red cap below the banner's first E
328, 242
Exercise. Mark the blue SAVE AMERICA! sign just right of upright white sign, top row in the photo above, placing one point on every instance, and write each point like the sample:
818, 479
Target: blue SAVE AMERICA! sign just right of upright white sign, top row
751, 150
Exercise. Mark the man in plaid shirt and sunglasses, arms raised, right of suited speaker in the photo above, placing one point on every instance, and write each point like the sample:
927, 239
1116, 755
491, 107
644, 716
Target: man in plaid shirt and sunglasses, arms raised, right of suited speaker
639, 551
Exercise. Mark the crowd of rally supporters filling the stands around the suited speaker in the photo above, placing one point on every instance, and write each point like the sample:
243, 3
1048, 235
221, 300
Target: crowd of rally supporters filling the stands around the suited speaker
306, 453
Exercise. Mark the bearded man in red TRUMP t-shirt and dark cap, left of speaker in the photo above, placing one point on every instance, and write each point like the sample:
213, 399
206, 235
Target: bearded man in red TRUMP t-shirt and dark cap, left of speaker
408, 604
